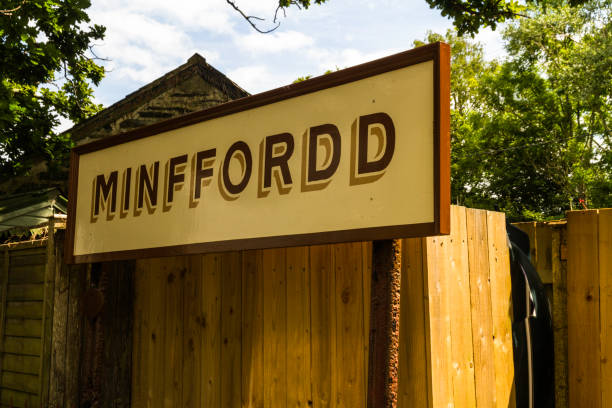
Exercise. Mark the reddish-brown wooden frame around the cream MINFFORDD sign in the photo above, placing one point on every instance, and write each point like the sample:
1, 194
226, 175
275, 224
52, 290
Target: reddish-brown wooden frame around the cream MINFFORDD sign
439, 53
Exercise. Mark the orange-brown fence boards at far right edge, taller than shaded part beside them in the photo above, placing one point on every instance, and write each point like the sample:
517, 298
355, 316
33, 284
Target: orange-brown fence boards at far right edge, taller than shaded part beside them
589, 308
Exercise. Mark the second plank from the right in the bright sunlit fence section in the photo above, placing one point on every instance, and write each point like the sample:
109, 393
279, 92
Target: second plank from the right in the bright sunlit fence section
482, 323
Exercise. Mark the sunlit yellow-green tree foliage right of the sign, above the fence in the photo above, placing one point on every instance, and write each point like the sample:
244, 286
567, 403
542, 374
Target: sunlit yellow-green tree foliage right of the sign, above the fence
531, 135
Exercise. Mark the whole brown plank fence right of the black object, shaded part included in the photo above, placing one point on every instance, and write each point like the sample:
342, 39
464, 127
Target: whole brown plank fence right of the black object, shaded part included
579, 254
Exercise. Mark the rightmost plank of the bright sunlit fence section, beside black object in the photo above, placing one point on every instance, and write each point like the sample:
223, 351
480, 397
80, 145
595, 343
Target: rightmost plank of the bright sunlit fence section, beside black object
501, 309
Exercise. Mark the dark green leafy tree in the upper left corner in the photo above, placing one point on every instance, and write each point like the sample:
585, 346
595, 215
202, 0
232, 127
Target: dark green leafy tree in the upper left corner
46, 72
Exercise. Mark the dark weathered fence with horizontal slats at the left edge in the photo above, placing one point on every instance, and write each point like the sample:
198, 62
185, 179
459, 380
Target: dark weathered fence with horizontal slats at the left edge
26, 290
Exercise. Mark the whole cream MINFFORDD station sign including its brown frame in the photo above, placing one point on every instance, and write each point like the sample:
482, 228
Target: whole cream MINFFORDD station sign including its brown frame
355, 155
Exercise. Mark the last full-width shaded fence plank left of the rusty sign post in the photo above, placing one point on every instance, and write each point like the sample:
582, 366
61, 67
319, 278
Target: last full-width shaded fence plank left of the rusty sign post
349, 325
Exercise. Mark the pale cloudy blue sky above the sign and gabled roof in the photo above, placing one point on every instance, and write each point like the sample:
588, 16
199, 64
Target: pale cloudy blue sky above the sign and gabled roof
147, 38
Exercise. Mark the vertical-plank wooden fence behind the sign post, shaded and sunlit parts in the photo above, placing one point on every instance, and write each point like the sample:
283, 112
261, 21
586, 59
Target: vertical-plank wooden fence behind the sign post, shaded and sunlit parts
289, 327
